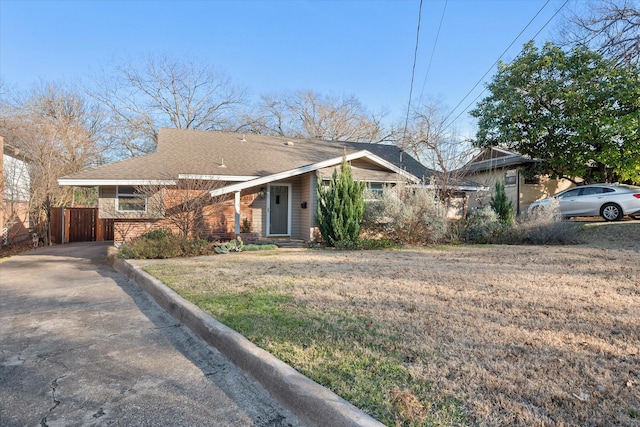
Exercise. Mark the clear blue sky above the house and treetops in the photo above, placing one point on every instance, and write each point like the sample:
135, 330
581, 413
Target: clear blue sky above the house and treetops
364, 47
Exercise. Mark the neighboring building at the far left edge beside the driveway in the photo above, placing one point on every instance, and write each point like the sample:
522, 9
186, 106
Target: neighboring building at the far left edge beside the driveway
14, 190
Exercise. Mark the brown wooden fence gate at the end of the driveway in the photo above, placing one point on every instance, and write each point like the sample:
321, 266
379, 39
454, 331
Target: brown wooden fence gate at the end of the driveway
79, 225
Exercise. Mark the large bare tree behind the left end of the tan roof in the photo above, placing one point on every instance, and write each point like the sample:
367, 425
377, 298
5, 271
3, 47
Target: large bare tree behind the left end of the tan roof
162, 91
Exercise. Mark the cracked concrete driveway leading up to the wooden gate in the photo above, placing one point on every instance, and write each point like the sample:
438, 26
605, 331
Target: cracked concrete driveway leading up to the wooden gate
82, 345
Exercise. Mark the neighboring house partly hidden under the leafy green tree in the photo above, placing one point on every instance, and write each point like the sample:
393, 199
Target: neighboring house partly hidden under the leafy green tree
499, 165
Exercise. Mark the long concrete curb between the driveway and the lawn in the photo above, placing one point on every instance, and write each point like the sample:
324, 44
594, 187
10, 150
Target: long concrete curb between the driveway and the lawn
313, 404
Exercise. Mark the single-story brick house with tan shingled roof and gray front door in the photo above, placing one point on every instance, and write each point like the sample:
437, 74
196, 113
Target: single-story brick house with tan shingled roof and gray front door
262, 184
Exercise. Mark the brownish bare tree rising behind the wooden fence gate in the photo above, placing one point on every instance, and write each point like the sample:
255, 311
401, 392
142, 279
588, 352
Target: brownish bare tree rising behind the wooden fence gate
56, 131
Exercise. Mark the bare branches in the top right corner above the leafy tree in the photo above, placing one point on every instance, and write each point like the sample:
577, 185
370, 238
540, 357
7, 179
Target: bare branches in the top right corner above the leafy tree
611, 27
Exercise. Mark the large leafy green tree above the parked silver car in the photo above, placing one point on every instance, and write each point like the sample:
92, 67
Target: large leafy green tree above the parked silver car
576, 111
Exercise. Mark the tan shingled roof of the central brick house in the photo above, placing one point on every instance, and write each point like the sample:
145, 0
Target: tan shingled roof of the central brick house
234, 156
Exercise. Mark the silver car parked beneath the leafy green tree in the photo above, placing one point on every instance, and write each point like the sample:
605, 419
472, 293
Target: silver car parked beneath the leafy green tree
610, 201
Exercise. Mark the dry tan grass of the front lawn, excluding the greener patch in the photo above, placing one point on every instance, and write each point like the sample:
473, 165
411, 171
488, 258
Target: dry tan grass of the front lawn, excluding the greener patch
510, 335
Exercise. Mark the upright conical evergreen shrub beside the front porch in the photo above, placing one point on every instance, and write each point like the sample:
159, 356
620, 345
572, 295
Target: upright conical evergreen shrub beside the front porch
340, 207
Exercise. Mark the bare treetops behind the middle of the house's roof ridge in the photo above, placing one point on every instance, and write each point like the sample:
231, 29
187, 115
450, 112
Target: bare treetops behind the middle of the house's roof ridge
308, 114
